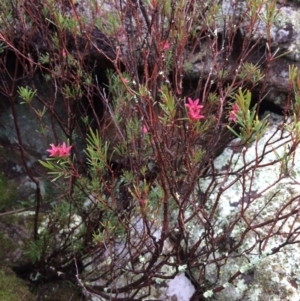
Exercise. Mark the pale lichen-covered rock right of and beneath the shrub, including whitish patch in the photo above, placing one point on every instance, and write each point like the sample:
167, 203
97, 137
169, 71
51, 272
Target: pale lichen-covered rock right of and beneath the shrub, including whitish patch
263, 181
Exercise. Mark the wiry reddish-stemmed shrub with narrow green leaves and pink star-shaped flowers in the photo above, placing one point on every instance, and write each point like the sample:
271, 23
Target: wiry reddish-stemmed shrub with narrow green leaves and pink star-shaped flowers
150, 136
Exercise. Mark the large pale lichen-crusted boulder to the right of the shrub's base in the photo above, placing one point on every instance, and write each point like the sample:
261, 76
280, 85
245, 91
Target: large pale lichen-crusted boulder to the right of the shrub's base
268, 188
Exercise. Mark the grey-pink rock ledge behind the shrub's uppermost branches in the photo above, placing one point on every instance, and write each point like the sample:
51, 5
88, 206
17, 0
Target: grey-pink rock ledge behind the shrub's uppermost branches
284, 36
